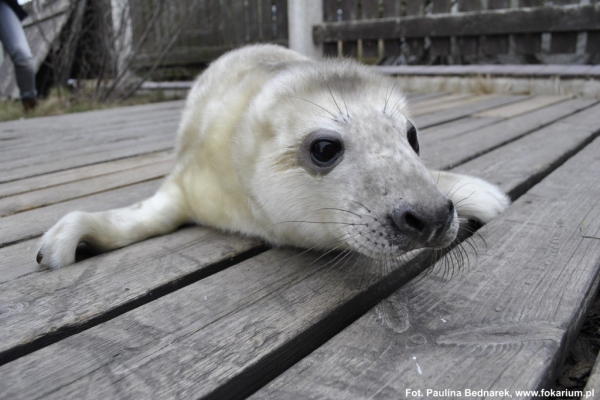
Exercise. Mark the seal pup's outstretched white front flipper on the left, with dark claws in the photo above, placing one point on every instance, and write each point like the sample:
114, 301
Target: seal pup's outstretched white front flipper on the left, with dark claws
107, 230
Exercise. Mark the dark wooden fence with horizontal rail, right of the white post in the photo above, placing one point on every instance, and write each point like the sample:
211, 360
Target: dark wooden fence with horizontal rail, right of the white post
463, 31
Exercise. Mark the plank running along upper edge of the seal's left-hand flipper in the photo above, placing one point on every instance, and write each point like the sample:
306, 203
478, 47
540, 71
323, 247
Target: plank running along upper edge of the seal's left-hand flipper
32, 223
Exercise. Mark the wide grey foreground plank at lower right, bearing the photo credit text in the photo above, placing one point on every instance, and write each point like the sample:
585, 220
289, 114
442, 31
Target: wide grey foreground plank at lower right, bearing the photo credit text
503, 324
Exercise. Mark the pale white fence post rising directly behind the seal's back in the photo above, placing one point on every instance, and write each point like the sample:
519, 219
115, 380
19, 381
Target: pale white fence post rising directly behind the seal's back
302, 15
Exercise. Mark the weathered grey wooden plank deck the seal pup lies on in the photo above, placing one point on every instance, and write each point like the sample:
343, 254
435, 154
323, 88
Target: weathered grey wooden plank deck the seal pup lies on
202, 314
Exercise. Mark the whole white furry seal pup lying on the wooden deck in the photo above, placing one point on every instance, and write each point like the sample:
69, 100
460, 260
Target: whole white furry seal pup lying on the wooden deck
297, 152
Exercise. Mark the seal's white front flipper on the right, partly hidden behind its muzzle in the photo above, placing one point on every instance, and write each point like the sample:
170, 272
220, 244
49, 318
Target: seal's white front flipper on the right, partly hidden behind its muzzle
473, 198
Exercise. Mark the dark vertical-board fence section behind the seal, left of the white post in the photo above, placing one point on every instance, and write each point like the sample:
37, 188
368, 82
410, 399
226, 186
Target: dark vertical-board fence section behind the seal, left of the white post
203, 30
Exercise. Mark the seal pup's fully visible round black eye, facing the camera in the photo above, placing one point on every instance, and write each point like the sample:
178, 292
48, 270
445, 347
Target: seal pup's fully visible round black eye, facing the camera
321, 151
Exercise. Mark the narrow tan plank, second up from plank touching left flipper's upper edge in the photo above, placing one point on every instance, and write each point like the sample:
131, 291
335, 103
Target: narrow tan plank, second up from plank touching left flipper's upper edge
81, 173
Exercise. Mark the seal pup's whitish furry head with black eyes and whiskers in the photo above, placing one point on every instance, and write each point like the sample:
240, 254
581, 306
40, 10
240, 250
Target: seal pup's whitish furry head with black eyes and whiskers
335, 164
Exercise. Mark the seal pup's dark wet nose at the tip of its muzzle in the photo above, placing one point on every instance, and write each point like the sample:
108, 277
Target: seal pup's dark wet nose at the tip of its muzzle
420, 226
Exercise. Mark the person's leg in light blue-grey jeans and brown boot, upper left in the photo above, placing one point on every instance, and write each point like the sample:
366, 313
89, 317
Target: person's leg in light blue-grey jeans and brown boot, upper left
15, 44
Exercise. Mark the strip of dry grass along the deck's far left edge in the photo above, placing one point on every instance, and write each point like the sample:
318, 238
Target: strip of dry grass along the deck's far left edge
68, 103
